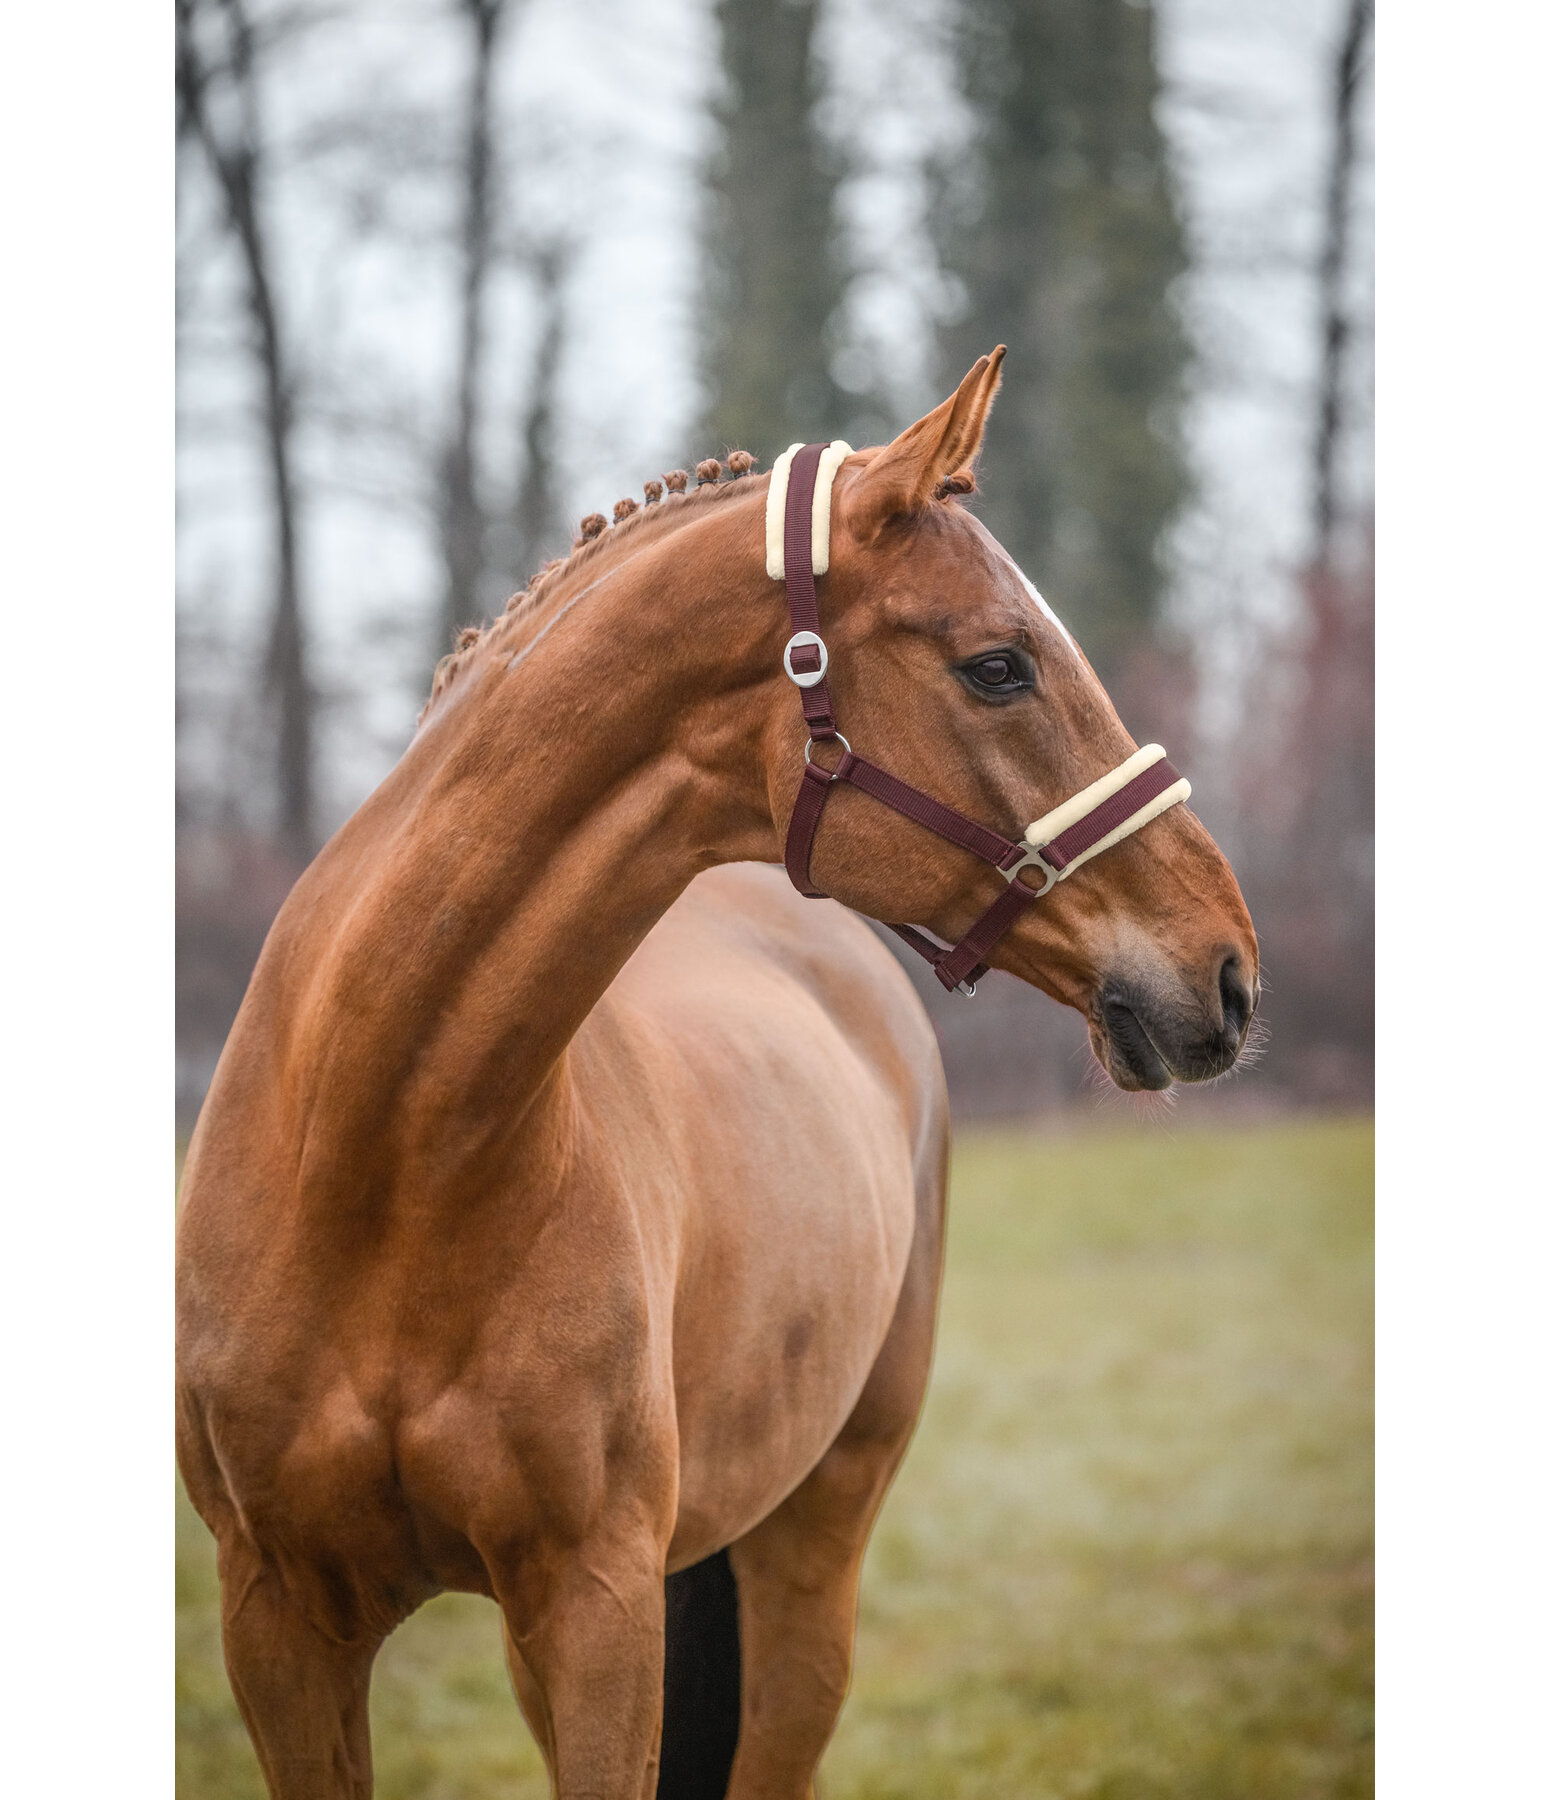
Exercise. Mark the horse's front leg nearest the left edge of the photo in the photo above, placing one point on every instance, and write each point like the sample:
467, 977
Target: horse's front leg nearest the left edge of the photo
302, 1691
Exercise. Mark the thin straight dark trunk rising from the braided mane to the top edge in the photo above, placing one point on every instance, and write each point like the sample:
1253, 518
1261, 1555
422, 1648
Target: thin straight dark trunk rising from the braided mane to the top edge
464, 519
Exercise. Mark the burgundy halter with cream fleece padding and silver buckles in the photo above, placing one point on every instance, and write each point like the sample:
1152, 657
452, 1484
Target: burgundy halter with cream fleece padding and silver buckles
1103, 814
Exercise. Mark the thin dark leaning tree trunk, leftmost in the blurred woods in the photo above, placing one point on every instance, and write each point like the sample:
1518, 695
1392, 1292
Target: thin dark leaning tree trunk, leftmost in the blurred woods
237, 159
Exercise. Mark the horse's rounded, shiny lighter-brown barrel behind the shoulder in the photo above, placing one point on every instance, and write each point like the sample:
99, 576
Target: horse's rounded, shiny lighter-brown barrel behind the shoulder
782, 1070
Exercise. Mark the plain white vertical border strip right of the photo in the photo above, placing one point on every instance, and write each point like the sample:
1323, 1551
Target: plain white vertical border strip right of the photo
1463, 598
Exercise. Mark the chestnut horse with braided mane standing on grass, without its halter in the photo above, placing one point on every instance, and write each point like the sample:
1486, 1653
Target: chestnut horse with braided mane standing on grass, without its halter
566, 1212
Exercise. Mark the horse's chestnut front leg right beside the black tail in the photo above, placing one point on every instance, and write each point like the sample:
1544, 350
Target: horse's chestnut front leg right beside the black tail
586, 1653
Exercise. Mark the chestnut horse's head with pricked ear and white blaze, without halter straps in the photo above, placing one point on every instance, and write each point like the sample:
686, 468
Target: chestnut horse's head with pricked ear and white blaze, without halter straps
951, 672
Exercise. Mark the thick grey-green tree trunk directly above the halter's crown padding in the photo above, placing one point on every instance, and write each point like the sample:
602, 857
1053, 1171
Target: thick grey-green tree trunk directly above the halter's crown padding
773, 242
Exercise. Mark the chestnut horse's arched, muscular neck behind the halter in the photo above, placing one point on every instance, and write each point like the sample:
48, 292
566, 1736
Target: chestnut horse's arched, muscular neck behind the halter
440, 957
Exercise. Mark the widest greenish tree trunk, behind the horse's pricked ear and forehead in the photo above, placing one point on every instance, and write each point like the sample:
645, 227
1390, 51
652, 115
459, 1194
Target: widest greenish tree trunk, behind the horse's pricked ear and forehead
1065, 237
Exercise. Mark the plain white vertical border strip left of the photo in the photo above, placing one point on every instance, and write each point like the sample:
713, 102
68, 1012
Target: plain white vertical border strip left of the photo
87, 487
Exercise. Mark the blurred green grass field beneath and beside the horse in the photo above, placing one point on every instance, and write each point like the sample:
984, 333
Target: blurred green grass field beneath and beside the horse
1131, 1549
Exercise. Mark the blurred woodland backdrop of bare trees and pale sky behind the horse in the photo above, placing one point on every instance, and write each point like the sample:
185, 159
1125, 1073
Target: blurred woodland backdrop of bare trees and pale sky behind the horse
456, 273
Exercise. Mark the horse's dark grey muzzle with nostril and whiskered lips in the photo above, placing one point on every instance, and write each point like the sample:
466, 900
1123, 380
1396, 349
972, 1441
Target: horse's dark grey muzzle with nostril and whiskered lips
1148, 1036
